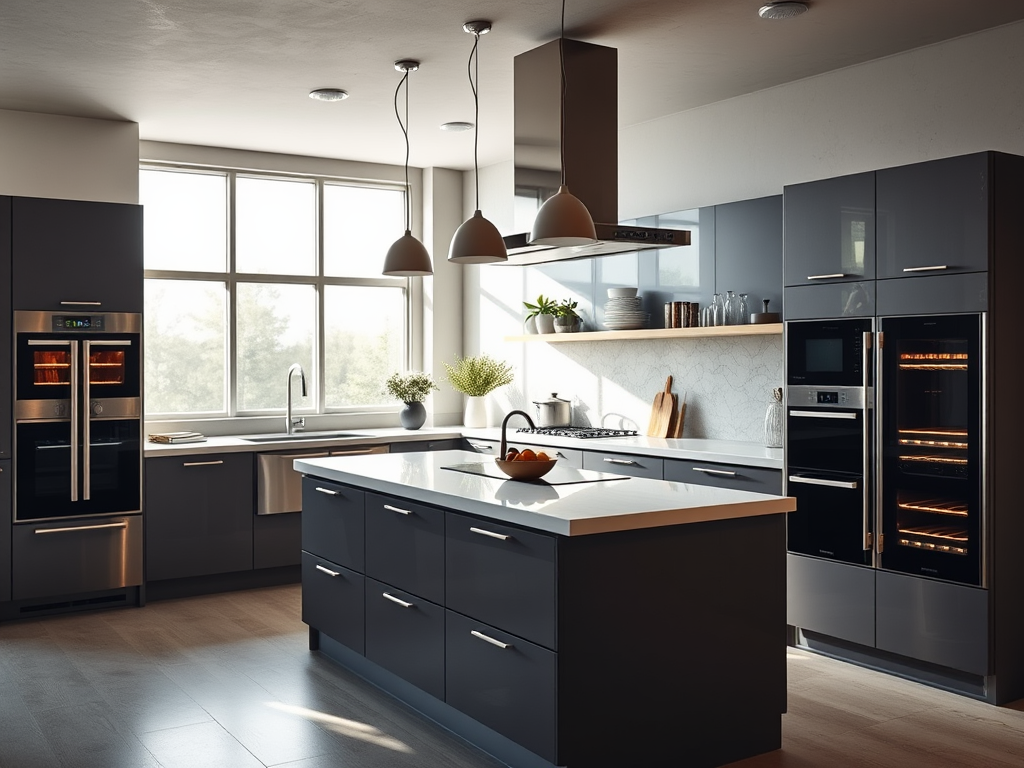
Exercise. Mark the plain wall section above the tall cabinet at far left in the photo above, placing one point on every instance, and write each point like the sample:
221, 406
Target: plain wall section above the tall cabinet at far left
53, 156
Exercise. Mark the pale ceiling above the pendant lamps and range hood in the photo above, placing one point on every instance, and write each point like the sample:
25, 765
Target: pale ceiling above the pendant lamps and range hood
236, 73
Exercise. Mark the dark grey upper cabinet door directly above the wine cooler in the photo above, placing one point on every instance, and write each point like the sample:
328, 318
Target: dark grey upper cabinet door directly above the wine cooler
933, 219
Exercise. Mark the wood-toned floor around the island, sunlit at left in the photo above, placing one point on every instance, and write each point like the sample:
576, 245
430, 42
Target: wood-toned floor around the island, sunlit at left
227, 682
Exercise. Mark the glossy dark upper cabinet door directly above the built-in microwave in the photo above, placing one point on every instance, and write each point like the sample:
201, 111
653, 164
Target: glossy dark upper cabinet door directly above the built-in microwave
830, 231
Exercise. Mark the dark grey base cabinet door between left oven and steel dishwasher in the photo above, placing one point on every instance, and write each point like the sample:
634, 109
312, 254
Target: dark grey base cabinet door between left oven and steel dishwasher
199, 516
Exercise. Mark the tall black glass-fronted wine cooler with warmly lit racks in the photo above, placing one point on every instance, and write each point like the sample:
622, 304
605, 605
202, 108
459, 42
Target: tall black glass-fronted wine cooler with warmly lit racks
930, 464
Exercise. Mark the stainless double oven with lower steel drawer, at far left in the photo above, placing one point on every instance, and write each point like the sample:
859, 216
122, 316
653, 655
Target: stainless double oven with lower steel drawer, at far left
78, 525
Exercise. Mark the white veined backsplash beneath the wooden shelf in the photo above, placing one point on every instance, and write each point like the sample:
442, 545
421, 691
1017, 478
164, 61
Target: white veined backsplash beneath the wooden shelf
728, 380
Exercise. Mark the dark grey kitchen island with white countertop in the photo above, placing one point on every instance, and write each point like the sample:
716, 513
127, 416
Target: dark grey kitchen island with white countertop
584, 621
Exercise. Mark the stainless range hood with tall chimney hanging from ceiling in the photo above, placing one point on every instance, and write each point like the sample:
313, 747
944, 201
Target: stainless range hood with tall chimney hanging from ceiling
591, 149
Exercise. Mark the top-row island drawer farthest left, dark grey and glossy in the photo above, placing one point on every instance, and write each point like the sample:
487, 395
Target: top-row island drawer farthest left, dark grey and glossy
333, 523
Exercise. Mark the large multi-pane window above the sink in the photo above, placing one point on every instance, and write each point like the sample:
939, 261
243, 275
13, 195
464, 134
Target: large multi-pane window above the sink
246, 275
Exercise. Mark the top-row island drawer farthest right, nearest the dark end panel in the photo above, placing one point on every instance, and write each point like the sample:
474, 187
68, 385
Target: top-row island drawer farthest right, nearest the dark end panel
503, 576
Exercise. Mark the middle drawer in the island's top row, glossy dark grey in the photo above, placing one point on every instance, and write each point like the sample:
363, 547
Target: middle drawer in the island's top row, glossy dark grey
406, 546
